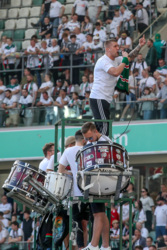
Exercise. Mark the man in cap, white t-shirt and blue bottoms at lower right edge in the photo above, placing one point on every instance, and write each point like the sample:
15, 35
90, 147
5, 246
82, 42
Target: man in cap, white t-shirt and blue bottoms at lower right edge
160, 219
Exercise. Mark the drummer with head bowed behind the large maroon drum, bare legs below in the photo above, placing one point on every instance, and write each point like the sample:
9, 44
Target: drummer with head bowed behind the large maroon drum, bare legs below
101, 223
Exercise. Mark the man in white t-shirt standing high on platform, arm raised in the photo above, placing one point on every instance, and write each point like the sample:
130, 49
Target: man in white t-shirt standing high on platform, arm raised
106, 72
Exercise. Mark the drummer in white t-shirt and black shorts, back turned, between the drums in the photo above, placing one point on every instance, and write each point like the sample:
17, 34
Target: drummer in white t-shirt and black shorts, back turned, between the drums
80, 211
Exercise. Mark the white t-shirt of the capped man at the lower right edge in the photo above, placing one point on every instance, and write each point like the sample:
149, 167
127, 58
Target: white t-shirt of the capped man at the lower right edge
161, 215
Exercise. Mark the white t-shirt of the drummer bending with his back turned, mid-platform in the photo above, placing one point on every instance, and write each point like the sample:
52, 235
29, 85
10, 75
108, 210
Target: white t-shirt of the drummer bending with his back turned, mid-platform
68, 158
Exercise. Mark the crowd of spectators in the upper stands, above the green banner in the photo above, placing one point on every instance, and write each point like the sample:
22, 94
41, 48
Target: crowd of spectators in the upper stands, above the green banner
80, 42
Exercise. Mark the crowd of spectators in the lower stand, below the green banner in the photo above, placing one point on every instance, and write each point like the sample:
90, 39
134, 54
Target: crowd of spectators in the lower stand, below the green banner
149, 222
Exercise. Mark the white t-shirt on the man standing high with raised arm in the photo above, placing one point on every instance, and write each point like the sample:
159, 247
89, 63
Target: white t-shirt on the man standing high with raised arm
104, 83
